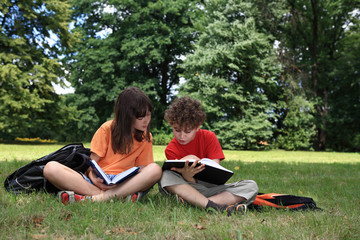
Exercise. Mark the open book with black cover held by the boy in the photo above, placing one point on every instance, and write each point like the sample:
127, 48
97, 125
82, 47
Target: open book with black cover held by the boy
213, 172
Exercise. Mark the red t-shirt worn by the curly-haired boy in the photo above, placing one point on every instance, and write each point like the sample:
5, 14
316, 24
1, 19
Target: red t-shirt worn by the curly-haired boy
204, 145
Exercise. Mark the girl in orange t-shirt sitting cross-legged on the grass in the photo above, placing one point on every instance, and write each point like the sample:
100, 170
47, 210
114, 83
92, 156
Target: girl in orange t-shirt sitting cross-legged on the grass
117, 145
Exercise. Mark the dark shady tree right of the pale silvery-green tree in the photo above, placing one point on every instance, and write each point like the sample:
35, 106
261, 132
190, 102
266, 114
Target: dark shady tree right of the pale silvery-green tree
310, 36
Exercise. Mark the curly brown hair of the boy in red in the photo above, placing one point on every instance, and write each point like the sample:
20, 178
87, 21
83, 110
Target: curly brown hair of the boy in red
185, 113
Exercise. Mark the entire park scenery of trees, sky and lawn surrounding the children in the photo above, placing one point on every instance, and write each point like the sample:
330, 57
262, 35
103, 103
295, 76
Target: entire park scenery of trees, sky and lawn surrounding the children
272, 76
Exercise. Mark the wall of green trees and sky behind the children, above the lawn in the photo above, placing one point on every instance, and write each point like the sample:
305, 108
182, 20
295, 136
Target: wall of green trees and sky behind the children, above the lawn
270, 74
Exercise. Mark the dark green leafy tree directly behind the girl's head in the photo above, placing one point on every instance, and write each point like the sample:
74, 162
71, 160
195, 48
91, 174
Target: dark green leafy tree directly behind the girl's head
142, 46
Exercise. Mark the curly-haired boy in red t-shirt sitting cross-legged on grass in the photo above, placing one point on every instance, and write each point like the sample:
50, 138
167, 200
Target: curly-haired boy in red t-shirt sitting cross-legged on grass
185, 115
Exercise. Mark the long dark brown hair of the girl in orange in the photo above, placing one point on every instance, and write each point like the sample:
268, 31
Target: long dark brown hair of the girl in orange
131, 104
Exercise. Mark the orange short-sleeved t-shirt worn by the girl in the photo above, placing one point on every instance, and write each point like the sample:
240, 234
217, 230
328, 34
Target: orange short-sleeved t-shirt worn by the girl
140, 154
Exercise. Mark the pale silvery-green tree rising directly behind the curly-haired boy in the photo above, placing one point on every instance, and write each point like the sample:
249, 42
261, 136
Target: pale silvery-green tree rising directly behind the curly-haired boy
232, 72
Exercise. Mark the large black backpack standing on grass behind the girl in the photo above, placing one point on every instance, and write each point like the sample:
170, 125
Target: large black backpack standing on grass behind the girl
30, 178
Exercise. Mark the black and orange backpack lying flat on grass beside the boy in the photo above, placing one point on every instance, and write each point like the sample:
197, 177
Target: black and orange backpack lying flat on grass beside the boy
283, 201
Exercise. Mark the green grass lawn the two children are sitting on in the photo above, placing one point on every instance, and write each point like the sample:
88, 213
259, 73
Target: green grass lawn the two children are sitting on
330, 178
